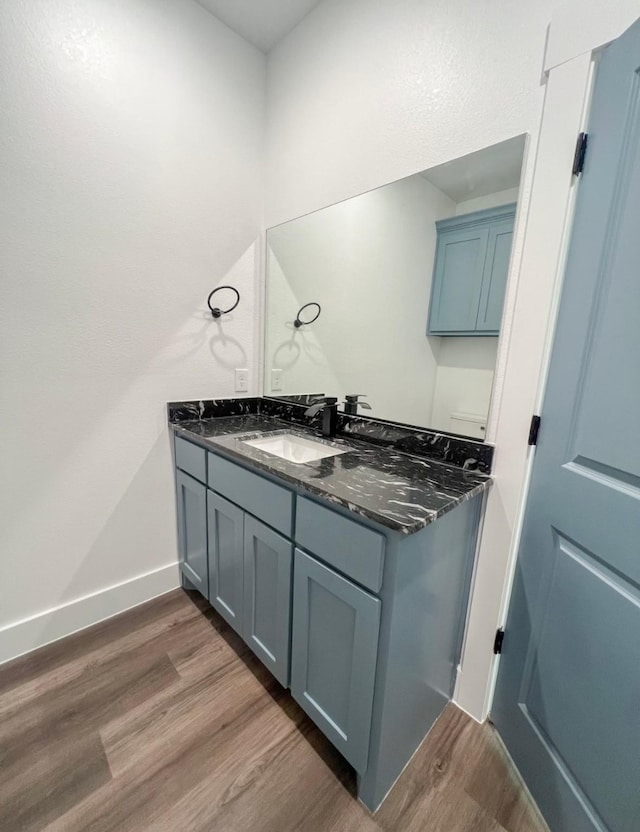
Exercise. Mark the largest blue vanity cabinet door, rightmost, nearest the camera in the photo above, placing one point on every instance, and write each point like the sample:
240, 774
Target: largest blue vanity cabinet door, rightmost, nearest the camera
333, 656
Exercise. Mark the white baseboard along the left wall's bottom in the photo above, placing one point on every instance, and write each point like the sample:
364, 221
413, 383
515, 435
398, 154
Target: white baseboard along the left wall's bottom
53, 624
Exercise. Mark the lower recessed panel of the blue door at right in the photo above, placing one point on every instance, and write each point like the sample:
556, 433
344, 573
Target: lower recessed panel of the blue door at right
582, 589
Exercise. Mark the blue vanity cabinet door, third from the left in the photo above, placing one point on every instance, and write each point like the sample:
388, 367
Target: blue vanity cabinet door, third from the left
268, 562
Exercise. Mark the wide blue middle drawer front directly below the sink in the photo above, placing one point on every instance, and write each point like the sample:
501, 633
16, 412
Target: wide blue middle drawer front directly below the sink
255, 494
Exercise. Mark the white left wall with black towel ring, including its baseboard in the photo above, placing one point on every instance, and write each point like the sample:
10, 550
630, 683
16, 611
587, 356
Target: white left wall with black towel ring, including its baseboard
131, 142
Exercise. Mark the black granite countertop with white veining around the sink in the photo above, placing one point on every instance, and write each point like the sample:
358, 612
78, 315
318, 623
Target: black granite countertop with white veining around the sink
397, 490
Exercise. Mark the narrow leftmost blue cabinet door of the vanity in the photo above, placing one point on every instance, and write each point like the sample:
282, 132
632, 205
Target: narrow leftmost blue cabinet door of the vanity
192, 531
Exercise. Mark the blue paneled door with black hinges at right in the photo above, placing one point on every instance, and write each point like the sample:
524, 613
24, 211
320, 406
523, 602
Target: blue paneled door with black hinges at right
568, 695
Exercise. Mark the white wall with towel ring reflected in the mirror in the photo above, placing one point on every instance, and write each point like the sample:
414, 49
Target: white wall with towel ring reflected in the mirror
368, 262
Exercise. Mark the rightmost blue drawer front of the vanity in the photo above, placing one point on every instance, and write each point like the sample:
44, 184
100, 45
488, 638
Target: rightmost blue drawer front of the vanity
353, 549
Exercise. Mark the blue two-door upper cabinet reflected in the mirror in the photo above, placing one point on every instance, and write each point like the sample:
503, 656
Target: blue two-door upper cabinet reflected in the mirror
470, 272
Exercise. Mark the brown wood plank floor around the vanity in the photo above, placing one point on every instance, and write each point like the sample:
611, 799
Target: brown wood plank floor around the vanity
162, 719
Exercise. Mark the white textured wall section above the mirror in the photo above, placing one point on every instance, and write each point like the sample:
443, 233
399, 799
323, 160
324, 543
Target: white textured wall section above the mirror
364, 92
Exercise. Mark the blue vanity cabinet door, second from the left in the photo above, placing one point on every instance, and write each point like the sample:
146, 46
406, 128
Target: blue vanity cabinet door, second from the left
225, 559
